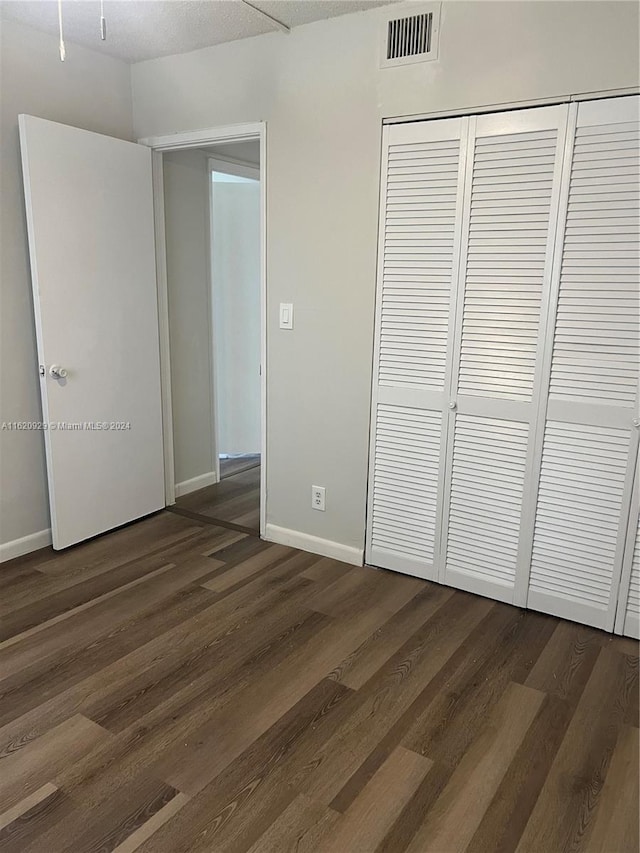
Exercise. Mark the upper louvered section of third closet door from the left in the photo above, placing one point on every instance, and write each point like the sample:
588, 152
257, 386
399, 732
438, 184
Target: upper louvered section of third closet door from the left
597, 345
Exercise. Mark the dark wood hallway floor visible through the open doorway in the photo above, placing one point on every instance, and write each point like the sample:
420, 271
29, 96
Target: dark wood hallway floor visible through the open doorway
235, 499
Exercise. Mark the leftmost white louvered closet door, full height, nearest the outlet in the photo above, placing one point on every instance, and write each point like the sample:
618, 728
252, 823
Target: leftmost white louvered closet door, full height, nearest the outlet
421, 206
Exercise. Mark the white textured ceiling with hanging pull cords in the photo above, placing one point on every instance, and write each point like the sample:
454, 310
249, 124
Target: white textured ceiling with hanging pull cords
145, 29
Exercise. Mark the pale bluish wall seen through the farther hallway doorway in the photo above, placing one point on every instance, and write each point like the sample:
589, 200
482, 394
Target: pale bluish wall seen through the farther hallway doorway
236, 314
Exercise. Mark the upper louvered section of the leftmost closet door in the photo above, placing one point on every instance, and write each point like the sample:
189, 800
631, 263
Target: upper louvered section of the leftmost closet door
421, 200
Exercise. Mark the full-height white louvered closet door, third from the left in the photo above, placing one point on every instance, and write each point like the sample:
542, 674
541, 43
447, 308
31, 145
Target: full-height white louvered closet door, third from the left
589, 445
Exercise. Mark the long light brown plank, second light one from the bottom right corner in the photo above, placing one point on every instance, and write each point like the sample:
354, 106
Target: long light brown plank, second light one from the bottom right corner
456, 814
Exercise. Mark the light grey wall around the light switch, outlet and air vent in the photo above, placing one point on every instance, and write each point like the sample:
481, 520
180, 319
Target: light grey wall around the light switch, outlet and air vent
322, 94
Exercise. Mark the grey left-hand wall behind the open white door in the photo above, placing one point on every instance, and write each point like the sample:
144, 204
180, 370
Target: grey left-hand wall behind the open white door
90, 91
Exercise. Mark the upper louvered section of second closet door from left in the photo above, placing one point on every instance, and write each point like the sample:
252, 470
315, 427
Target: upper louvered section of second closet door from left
511, 196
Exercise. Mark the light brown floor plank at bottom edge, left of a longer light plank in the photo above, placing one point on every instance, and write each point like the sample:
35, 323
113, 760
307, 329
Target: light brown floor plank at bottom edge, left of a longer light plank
365, 823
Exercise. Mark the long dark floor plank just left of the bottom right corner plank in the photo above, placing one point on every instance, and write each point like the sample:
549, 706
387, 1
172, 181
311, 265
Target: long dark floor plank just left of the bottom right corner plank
564, 812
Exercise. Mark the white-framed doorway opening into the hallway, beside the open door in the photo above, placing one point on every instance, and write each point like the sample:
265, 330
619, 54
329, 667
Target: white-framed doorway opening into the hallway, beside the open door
210, 225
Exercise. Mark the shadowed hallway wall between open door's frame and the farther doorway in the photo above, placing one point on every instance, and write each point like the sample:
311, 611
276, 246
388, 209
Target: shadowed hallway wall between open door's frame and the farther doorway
186, 197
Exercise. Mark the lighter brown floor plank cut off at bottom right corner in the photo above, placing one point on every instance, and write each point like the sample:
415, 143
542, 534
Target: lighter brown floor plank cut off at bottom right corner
616, 821
